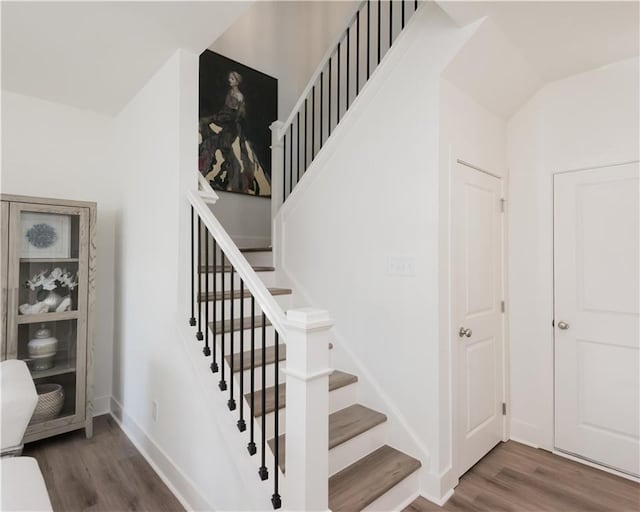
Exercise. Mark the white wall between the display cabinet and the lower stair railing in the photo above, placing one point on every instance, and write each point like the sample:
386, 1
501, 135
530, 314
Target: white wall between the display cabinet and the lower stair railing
156, 149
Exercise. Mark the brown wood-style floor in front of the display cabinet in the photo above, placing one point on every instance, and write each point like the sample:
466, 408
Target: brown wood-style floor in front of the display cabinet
105, 473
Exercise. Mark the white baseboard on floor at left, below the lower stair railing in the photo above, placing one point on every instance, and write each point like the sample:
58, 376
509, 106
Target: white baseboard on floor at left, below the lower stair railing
178, 483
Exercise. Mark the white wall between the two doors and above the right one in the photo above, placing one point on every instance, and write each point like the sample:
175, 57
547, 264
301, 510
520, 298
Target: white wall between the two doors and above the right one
584, 121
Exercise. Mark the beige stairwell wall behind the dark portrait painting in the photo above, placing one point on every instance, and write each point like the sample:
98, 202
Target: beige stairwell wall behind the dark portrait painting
285, 40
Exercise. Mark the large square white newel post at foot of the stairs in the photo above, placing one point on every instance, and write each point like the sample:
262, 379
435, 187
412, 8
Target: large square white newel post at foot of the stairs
307, 411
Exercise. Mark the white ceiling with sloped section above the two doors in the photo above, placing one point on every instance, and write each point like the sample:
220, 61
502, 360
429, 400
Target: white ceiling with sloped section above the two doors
524, 45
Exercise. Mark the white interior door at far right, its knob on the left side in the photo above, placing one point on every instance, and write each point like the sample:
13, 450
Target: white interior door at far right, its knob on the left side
597, 337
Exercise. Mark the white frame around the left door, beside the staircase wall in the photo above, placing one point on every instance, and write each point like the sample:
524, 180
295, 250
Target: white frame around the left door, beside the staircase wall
453, 337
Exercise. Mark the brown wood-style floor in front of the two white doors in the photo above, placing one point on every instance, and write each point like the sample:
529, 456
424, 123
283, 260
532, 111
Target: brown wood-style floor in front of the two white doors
515, 477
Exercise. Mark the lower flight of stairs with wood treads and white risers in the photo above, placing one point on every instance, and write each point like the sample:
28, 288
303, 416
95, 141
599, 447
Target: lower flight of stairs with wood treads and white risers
363, 469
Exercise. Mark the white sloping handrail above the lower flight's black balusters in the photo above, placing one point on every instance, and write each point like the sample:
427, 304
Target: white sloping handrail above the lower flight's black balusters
265, 300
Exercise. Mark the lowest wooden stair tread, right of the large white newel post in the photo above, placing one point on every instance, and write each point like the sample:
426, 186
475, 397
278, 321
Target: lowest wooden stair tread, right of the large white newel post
367, 479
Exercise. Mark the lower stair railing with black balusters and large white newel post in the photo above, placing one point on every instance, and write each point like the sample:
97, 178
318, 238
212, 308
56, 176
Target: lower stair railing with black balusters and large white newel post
305, 331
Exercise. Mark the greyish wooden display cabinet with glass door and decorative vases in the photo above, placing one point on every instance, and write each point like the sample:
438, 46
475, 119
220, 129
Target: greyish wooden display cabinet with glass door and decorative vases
39, 235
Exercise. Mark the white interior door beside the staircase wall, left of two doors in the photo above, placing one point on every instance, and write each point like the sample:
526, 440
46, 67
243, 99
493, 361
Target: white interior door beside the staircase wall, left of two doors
476, 313
